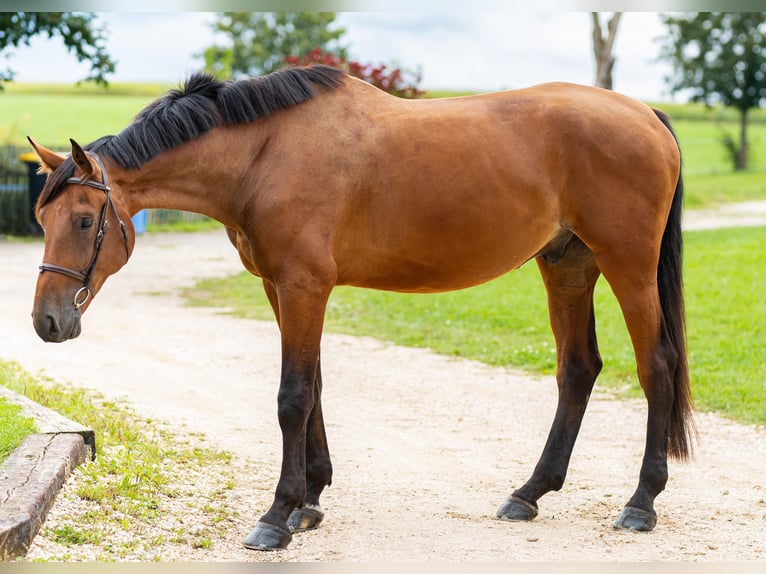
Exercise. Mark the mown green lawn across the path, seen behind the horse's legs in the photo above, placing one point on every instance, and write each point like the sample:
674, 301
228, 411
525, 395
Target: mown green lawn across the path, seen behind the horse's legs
505, 322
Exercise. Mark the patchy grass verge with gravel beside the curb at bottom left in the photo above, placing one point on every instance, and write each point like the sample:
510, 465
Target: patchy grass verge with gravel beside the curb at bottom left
149, 491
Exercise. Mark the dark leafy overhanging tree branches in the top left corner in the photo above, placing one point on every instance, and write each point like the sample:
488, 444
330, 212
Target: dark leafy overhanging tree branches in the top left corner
77, 30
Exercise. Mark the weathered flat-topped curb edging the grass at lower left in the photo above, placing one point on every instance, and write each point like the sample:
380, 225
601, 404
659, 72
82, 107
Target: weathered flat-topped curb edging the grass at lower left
31, 477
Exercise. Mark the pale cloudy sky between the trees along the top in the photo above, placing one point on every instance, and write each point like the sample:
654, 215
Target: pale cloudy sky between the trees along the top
458, 50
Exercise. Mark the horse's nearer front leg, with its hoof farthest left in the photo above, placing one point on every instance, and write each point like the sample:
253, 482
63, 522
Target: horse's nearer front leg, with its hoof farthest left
301, 305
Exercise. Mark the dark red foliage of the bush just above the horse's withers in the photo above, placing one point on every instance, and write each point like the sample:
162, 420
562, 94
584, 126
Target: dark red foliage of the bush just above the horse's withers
394, 81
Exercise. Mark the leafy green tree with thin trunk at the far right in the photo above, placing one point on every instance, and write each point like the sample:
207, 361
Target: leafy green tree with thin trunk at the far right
719, 57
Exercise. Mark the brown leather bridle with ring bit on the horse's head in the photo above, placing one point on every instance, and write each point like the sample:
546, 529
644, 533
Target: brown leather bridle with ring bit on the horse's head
85, 276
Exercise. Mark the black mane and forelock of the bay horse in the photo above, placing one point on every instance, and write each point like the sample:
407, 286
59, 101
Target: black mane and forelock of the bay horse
201, 104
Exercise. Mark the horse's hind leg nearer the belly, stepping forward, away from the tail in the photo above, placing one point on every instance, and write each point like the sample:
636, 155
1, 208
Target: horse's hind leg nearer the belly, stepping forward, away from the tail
569, 275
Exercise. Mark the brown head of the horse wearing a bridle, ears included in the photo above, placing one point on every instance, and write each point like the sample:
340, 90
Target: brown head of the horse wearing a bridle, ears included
77, 208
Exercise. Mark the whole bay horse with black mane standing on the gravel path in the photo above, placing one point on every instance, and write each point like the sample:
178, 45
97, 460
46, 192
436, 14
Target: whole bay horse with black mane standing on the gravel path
322, 179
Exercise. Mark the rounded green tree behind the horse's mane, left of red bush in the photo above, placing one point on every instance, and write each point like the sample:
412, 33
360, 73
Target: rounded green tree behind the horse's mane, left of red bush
260, 41
